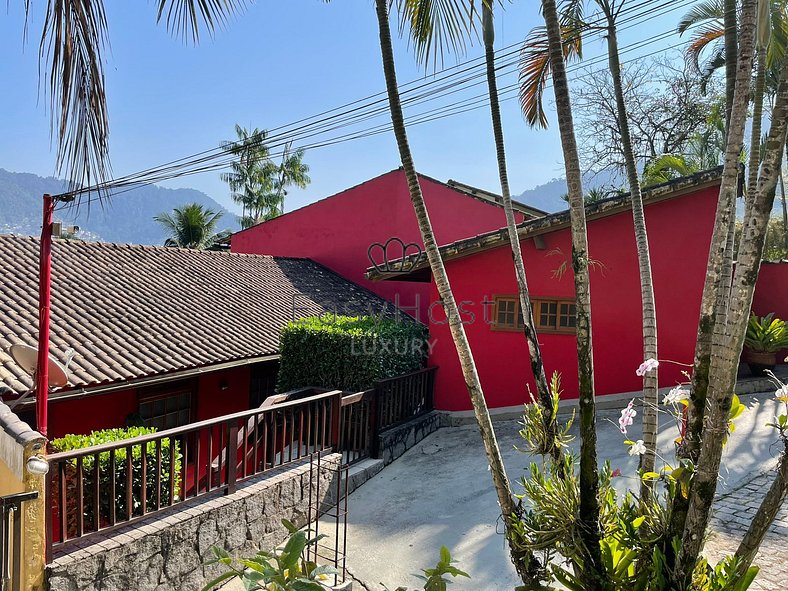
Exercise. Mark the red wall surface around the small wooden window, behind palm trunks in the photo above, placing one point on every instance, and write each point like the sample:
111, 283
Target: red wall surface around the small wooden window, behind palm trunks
679, 237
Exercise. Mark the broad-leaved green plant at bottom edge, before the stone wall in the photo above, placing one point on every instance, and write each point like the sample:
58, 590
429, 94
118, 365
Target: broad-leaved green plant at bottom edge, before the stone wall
286, 568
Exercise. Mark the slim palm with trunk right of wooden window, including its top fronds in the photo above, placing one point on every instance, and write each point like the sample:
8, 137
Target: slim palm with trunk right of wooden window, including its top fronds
574, 26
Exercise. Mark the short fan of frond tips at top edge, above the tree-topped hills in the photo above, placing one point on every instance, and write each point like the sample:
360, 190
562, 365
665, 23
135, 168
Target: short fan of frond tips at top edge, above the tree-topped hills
186, 18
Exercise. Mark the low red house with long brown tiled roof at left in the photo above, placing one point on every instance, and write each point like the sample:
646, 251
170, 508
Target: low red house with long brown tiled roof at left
157, 336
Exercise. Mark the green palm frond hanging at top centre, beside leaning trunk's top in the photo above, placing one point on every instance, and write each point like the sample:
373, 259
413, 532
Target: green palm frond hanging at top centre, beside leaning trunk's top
436, 27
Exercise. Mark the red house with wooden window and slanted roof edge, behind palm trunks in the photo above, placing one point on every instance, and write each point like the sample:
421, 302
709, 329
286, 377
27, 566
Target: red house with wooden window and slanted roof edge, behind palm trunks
679, 219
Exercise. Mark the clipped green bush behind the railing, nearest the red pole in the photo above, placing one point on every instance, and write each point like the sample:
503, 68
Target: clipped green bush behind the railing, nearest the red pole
122, 511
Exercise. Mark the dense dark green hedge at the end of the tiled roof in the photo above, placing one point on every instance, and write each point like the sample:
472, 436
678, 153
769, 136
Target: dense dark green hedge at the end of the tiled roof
348, 352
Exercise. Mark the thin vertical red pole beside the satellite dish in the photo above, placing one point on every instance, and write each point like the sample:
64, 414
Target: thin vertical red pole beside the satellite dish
44, 281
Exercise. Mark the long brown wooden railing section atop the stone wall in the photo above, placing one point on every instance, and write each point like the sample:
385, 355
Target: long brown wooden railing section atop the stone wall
101, 487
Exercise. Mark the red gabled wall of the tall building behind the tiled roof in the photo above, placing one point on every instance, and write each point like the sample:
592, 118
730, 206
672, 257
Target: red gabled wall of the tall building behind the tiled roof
338, 230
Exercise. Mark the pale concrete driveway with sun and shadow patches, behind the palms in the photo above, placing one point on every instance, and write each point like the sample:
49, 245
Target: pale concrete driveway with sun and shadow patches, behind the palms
440, 493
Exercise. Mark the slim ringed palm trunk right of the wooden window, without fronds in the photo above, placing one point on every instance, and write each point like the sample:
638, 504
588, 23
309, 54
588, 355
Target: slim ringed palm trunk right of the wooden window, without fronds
650, 380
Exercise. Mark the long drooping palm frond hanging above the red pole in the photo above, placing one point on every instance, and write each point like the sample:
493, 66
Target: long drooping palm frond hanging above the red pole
70, 52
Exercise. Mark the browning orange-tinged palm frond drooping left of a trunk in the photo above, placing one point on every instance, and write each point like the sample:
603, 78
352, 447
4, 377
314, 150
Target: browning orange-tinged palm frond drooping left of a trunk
535, 69
